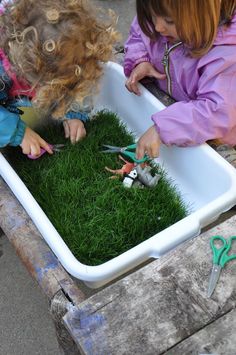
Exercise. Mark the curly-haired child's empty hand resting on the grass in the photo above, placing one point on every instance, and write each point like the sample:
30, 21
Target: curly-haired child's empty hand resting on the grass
74, 129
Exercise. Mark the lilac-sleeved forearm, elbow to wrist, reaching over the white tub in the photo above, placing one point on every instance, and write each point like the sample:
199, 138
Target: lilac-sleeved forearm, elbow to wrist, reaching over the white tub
192, 123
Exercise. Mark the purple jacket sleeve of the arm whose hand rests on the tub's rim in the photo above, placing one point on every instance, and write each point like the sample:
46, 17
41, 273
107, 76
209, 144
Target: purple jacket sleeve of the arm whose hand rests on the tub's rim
135, 49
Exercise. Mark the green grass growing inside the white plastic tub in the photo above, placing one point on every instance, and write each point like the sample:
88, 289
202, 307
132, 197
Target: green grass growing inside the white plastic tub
96, 216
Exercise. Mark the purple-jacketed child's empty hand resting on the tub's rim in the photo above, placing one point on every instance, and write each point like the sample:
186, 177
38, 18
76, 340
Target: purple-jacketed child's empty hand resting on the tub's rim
139, 72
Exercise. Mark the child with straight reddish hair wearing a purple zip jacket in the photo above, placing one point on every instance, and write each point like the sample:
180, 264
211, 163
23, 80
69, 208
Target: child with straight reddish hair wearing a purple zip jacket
189, 49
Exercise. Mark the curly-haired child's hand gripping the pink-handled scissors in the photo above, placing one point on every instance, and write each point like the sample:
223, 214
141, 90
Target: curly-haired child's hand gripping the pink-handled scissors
32, 143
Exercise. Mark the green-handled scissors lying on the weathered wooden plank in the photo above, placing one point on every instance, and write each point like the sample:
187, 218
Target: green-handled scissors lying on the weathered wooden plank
220, 259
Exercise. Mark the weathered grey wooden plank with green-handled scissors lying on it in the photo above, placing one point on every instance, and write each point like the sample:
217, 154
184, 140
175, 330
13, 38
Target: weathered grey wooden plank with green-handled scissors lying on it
158, 306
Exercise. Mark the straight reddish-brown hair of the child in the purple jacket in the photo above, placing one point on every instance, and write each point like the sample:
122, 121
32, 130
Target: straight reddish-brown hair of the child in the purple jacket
196, 21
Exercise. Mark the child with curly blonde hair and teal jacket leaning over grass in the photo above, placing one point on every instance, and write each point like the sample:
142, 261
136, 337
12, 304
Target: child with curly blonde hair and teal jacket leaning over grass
52, 52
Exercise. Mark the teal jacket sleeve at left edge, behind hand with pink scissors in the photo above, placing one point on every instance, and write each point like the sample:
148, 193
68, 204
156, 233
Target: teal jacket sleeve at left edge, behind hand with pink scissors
12, 128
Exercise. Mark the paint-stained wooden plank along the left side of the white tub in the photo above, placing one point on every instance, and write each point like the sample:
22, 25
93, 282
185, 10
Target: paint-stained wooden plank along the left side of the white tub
28, 243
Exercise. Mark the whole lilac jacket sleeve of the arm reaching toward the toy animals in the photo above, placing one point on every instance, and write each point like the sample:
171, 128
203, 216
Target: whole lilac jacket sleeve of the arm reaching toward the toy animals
211, 115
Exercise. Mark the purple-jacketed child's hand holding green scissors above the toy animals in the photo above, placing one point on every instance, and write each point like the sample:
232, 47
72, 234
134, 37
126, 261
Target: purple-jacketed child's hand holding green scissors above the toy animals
149, 144
